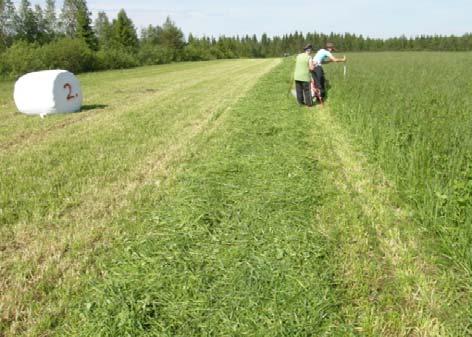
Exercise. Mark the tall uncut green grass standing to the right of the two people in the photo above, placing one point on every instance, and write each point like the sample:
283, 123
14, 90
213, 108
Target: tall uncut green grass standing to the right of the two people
412, 112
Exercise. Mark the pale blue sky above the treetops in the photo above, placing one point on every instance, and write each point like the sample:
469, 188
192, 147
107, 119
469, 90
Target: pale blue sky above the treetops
373, 18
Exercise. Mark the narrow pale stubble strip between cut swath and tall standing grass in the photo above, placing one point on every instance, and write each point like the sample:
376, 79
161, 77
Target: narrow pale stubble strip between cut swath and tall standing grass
393, 288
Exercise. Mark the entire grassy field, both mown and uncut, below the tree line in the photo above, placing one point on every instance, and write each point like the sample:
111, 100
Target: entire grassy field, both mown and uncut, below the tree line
198, 199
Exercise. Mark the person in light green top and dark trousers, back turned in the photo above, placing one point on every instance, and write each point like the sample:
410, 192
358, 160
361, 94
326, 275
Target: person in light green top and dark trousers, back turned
302, 76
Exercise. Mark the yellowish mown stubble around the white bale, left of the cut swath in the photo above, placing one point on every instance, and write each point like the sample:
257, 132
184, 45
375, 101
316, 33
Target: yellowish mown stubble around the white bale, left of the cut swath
67, 176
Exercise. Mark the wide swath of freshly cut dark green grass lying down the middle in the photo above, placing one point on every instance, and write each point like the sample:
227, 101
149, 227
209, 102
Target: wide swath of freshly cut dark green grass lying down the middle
230, 246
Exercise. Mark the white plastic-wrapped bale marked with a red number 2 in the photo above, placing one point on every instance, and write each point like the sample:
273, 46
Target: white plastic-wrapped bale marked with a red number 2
48, 92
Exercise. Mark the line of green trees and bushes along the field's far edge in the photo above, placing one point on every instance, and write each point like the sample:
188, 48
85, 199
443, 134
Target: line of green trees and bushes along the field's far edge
33, 38
